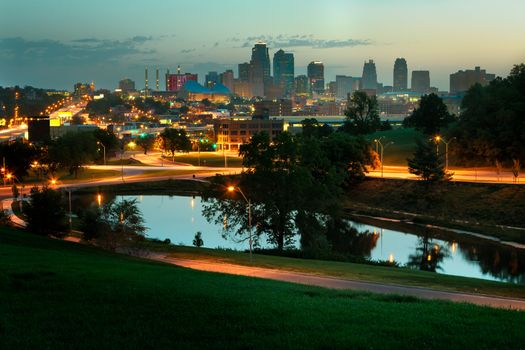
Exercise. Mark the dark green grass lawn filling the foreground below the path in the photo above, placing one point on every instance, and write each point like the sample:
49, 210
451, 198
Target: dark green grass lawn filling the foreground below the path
60, 295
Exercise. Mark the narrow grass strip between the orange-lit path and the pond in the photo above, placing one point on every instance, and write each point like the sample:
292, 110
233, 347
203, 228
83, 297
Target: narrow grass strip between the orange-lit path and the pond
345, 270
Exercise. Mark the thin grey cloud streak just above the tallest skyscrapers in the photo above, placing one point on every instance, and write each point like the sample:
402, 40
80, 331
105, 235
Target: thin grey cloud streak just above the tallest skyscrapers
303, 40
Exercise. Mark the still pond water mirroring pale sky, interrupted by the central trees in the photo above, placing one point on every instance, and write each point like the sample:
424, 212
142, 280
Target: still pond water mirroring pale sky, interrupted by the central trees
179, 218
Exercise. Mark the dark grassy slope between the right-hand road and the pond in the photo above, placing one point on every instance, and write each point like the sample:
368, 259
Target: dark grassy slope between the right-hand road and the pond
490, 209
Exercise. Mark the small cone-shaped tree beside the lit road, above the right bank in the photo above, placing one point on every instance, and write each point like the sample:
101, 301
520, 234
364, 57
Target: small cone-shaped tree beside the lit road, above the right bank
427, 164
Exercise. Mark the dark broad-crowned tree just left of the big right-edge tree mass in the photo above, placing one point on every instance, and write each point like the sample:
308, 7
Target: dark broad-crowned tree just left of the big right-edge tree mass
431, 116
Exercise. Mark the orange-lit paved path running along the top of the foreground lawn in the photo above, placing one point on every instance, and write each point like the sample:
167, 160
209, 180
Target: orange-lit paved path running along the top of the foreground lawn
336, 283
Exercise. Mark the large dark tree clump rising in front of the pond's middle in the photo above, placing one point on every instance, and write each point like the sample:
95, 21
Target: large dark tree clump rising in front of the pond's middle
287, 177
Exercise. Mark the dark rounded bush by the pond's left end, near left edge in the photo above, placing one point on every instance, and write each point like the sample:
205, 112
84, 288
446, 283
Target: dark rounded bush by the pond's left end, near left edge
45, 213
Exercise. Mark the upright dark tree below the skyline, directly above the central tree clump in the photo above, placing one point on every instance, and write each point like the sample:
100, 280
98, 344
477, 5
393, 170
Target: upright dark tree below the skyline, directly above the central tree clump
362, 116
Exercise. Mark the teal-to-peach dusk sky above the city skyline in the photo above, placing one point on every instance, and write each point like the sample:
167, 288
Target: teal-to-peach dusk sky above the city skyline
56, 43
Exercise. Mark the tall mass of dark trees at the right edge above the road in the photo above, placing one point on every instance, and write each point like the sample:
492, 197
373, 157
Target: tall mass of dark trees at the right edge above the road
492, 125
